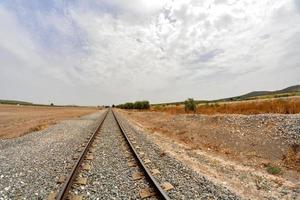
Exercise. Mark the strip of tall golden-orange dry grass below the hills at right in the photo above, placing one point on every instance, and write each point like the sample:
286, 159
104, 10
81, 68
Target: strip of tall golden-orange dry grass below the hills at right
280, 106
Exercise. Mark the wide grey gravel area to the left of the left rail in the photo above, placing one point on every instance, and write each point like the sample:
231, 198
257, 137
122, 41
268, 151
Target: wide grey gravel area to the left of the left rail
31, 165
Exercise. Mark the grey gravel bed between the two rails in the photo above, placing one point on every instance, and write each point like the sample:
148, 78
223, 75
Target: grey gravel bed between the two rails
110, 177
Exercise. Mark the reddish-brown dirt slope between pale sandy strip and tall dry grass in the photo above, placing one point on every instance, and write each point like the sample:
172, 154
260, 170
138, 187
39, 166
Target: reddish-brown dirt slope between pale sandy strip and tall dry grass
237, 136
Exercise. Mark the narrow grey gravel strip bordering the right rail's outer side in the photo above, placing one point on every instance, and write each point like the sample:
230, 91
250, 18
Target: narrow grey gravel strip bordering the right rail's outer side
188, 184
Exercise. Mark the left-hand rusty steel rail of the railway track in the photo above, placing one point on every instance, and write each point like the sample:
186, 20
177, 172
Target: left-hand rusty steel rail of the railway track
64, 191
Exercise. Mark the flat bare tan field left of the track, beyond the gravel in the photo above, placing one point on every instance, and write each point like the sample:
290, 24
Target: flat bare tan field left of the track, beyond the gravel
16, 121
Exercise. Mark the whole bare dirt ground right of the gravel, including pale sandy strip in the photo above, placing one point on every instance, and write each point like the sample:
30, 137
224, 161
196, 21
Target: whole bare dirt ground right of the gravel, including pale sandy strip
235, 150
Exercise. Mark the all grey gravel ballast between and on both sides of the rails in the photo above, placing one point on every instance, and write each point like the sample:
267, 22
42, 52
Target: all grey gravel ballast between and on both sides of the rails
31, 165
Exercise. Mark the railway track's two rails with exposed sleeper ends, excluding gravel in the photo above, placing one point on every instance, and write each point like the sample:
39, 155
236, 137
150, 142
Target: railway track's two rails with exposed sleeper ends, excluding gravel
155, 189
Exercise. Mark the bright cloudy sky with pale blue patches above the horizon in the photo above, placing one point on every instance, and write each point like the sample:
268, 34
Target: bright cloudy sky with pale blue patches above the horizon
93, 52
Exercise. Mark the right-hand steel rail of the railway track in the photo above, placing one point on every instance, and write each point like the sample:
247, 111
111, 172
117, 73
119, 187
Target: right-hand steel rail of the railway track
159, 191
